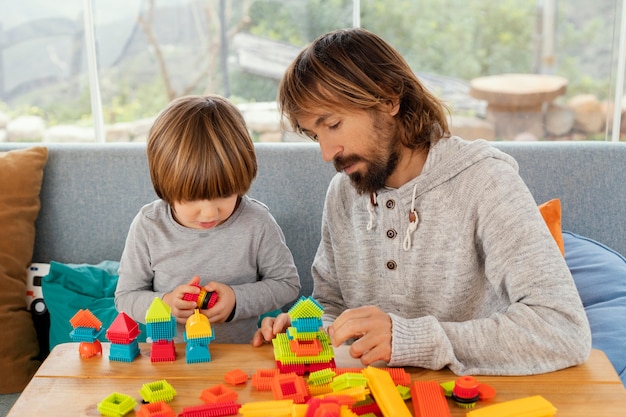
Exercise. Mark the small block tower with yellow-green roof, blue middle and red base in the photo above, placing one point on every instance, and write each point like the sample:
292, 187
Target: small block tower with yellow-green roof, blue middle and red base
161, 329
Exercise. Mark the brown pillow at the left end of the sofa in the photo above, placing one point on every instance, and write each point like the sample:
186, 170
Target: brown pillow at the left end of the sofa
21, 172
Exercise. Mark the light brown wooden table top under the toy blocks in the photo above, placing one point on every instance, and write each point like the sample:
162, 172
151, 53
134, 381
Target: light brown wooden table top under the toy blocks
67, 385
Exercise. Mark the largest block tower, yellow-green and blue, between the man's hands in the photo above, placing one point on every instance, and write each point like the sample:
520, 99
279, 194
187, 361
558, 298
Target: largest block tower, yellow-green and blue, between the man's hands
304, 347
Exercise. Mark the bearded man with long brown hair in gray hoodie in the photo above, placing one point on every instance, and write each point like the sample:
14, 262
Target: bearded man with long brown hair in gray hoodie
433, 251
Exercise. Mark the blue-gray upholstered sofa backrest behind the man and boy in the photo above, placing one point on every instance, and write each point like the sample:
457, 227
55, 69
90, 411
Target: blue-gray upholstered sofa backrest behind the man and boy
91, 192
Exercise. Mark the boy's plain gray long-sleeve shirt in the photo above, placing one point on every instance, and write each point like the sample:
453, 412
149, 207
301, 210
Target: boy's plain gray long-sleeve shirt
247, 252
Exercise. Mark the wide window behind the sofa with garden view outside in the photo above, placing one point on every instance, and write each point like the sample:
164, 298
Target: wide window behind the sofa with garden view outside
101, 71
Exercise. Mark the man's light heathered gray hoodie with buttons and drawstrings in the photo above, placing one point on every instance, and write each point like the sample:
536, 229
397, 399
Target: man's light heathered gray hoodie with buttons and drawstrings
483, 288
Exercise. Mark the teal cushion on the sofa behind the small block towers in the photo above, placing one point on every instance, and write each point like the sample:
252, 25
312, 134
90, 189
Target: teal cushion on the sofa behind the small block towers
71, 287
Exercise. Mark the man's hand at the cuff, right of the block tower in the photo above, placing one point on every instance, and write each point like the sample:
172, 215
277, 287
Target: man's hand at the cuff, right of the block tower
371, 329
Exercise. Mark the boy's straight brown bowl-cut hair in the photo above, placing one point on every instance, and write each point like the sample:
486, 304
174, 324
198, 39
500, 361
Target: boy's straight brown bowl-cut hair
199, 149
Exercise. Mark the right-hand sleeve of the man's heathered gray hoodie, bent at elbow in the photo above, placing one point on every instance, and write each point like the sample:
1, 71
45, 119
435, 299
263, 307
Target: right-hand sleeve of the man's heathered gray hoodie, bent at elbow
543, 326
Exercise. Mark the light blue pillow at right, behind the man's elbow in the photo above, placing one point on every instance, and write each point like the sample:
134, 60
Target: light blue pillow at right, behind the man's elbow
600, 276
